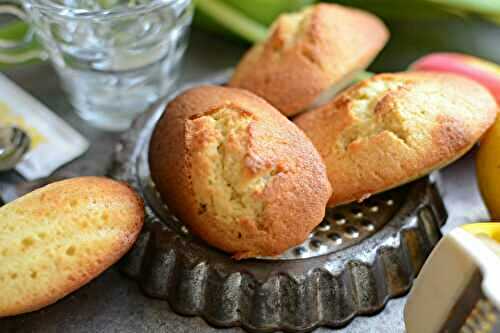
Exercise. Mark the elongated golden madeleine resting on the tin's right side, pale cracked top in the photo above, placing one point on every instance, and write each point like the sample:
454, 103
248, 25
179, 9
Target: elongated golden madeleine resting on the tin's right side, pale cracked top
393, 128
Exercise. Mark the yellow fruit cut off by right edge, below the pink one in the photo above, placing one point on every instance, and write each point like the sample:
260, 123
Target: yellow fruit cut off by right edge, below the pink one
488, 169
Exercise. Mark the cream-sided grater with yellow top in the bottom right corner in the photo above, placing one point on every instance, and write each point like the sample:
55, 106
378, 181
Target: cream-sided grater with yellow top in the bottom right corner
458, 287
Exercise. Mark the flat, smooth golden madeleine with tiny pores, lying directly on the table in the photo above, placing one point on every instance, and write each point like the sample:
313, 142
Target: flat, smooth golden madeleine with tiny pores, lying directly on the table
59, 237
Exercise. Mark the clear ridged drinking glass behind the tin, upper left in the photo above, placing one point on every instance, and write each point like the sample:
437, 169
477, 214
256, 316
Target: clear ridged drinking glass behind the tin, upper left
114, 57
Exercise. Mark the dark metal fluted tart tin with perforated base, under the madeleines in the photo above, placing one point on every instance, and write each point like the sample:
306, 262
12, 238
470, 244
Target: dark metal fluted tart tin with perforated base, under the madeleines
361, 255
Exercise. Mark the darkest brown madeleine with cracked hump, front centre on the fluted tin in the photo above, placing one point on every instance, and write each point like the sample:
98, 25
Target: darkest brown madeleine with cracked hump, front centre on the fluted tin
237, 172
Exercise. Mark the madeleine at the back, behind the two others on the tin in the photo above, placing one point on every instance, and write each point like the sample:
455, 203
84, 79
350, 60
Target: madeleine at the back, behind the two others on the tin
308, 52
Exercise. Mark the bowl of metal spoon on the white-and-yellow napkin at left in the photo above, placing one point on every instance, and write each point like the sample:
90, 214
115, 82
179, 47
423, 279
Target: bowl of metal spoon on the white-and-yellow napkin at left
14, 143
